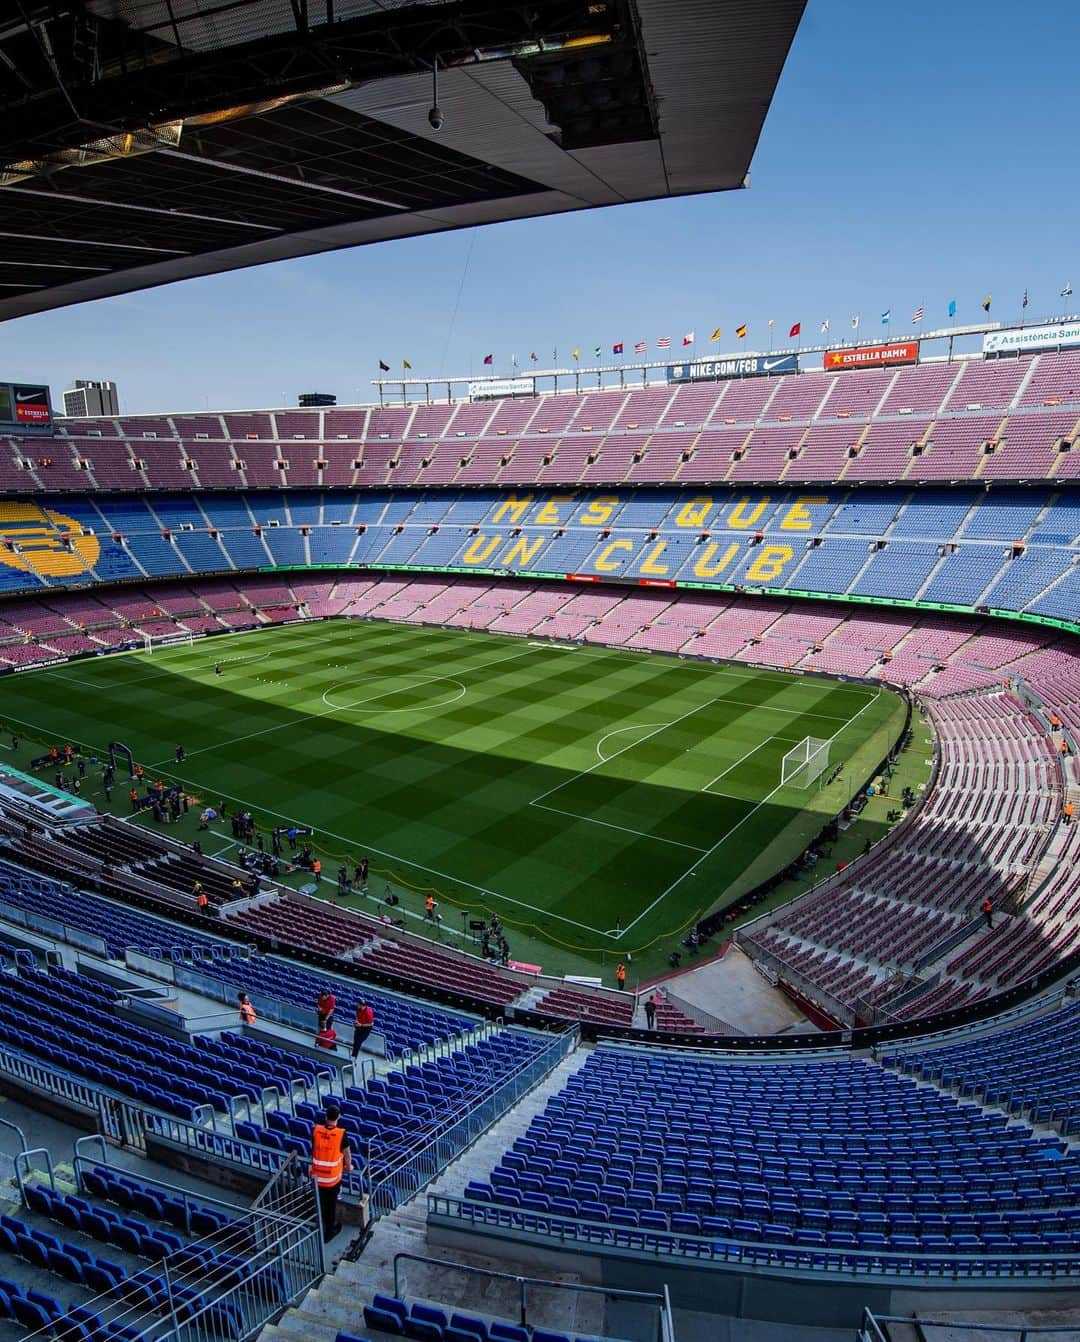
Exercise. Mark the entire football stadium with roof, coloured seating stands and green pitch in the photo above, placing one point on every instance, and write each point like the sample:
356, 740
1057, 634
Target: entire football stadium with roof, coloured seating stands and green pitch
582, 851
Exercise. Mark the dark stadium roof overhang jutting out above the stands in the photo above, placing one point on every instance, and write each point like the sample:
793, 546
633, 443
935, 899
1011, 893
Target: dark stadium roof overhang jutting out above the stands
146, 142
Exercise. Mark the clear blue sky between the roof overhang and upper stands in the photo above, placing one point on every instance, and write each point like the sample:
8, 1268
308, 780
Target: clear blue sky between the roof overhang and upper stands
914, 154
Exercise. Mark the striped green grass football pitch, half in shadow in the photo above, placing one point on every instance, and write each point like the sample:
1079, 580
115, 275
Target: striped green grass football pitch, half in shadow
596, 799
